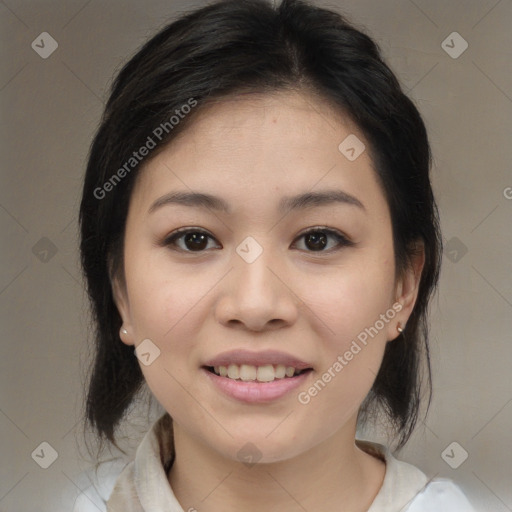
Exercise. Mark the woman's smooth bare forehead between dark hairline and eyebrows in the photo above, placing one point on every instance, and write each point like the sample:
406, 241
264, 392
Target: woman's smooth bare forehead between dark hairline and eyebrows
250, 148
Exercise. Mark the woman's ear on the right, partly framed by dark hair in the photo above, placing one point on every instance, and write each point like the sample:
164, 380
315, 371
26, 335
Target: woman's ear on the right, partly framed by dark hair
407, 288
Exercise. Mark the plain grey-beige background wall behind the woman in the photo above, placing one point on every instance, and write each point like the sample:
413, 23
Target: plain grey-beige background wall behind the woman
49, 111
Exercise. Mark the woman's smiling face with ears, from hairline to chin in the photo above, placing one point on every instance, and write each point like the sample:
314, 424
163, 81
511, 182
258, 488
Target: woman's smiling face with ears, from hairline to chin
250, 279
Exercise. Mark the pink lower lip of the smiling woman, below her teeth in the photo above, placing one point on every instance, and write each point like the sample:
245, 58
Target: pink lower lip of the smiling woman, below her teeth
256, 392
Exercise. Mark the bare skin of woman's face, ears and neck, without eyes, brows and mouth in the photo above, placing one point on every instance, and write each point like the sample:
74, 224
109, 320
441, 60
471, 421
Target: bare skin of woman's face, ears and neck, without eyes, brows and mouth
252, 150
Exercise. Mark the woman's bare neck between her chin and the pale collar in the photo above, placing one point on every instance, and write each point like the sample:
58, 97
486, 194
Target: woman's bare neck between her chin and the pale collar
332, 473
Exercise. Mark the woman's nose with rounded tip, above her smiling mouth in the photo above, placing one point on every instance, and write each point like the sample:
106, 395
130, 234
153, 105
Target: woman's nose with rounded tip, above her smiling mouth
257, 296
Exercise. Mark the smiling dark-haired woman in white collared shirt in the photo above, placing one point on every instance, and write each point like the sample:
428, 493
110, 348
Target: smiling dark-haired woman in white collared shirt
260, 242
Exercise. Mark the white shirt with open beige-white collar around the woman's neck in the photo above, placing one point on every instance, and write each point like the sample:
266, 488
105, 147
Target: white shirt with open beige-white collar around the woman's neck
141, 485
